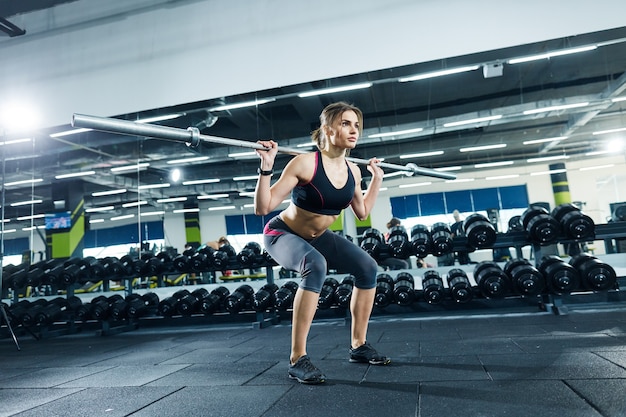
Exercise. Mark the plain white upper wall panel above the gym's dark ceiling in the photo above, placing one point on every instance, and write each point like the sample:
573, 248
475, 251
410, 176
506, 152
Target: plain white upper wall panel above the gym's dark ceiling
73, 59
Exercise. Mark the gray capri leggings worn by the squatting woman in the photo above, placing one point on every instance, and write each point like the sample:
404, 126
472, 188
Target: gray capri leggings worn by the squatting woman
312, 258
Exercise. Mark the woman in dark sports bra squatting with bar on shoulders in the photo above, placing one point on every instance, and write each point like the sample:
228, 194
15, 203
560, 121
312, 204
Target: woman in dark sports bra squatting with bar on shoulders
322, 184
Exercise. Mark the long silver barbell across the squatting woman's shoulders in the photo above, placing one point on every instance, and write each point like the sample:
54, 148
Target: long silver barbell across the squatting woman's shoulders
192, 137
